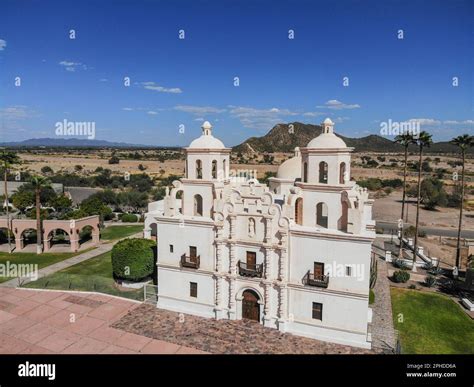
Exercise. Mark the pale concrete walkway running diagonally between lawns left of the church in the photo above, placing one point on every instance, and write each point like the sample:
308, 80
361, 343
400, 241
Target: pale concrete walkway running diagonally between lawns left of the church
101, 249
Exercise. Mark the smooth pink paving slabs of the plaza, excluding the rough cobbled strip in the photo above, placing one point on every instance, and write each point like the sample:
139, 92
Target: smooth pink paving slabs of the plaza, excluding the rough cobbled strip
56, 322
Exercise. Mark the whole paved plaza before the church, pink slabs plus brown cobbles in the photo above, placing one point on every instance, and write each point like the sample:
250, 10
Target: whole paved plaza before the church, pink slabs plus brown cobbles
33, 321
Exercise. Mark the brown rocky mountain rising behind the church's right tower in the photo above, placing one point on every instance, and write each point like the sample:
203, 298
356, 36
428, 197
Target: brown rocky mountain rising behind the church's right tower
284, 138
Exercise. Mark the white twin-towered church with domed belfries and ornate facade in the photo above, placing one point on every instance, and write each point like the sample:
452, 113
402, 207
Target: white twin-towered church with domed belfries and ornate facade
294, 255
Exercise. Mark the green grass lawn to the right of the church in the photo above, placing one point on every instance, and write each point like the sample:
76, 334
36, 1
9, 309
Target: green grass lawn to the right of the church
432, 323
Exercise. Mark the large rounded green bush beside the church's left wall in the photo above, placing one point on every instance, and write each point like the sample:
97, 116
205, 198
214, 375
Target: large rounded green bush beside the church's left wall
133, 259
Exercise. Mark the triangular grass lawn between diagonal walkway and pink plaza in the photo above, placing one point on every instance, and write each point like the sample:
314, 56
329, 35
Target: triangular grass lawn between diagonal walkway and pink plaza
95, 274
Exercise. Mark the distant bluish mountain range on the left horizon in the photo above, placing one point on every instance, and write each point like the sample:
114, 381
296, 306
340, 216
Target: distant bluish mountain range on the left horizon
70, 142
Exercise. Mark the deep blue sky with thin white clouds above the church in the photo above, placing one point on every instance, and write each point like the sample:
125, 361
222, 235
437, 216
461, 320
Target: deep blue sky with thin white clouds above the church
183, 81
